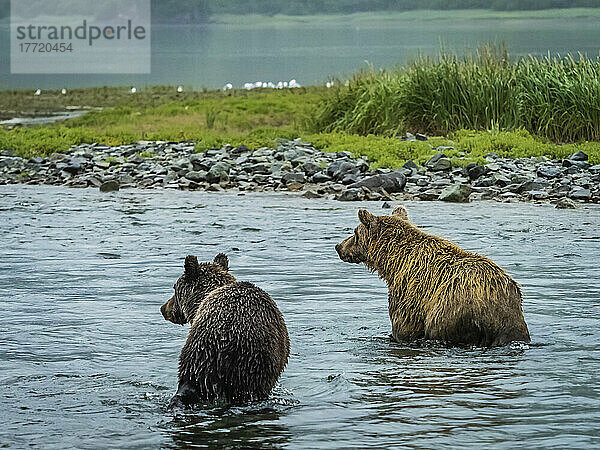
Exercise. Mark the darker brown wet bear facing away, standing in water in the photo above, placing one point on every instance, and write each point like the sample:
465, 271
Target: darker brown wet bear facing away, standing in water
238, 343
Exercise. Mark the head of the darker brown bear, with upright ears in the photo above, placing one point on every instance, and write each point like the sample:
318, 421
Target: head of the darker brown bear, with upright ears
196, 282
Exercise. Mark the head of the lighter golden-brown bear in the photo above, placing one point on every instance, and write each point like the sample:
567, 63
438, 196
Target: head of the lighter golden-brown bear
355, 249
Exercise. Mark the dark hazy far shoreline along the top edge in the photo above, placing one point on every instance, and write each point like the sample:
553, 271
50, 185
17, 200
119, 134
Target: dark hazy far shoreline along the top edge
194, 11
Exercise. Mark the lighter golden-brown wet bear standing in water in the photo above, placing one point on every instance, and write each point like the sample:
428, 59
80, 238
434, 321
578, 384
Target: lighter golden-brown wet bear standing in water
437, 290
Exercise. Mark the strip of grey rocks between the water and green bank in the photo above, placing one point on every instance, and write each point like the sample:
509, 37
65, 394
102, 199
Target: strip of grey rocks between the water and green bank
299, 167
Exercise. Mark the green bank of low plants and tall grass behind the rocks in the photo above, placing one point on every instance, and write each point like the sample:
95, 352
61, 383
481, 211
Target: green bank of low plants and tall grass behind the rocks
481, 104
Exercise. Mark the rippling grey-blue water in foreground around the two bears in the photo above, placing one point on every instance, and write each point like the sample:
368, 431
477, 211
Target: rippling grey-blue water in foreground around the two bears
87, 360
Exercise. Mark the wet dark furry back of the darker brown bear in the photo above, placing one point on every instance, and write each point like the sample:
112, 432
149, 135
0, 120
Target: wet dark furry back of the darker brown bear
238, 344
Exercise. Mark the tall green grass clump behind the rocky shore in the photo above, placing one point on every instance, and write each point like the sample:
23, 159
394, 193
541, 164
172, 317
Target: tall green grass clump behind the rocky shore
558, 99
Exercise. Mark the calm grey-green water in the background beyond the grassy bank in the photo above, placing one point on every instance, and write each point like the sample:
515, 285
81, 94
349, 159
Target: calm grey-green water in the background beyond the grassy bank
212, 55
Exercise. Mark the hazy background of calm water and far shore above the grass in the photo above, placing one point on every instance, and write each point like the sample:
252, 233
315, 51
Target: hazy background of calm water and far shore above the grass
203, 44
